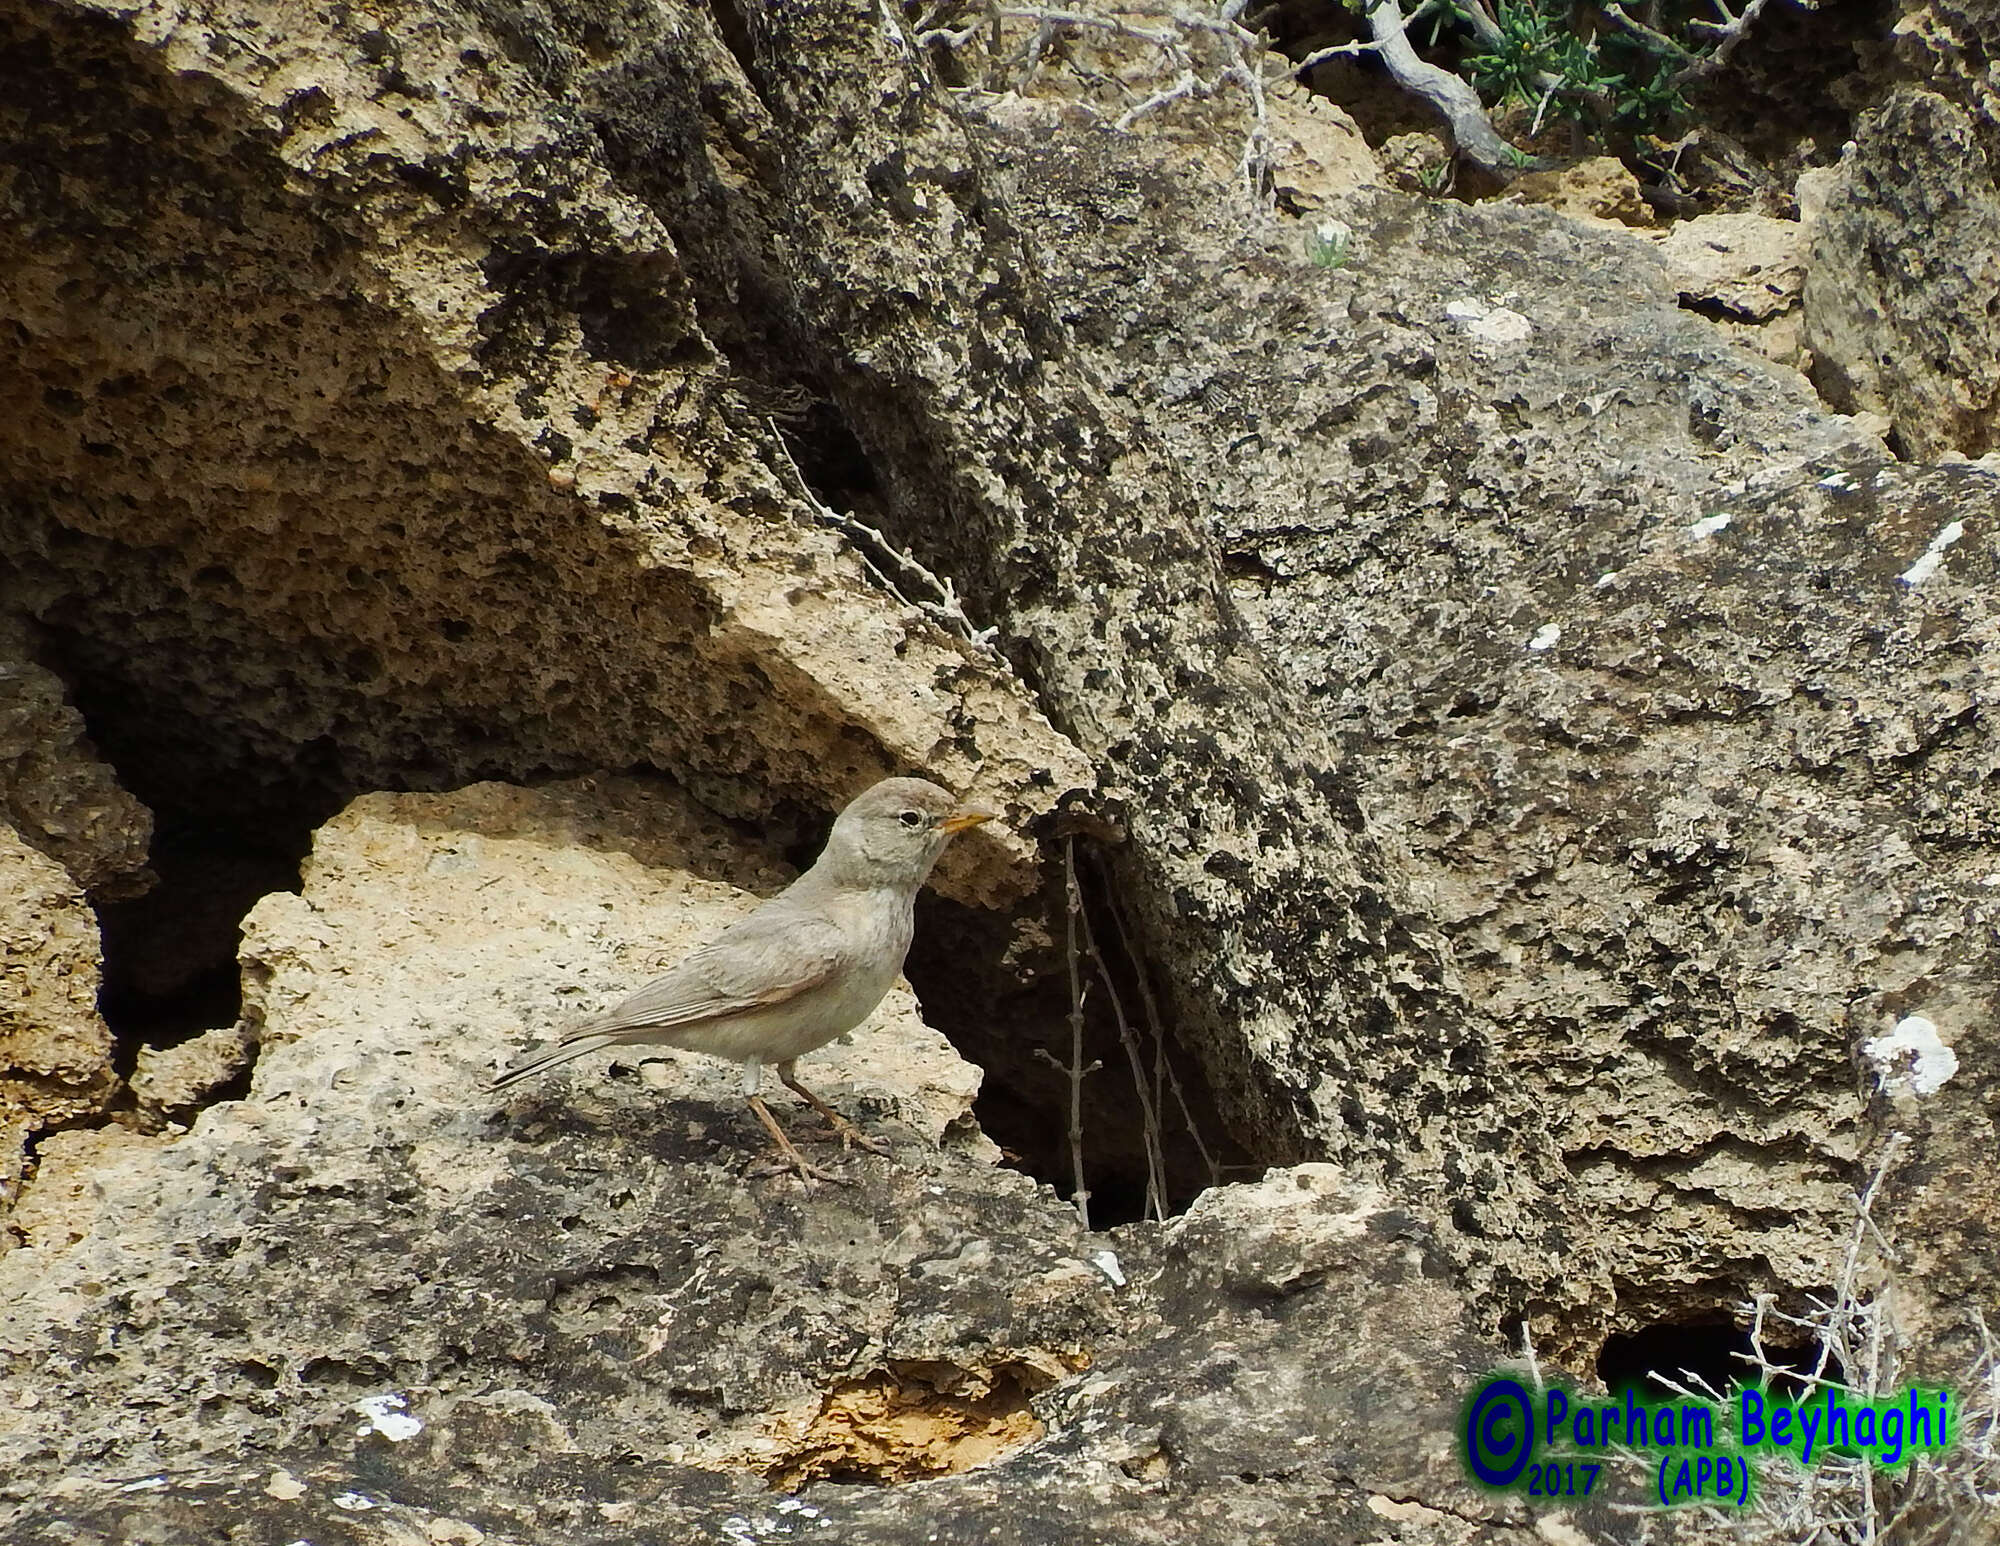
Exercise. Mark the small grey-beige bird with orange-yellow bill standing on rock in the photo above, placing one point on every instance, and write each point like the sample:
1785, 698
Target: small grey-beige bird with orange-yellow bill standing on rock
807, 967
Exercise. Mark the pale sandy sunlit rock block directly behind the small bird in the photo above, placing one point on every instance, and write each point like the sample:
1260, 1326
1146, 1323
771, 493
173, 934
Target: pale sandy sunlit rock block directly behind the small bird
513, 915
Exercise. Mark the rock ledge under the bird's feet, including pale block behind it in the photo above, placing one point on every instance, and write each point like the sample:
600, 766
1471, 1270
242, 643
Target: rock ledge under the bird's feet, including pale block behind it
377, 1303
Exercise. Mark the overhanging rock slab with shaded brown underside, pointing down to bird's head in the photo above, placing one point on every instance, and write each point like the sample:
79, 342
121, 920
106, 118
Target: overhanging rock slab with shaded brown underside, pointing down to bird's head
367, 435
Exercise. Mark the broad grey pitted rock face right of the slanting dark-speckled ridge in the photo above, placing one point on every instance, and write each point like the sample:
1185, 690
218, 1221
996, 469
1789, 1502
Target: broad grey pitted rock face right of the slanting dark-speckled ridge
1627, 647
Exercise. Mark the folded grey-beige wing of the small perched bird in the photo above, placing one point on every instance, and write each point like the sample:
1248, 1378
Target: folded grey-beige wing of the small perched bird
767, 959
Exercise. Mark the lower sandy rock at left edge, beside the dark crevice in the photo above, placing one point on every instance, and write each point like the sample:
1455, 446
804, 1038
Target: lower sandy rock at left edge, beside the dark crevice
55, 1049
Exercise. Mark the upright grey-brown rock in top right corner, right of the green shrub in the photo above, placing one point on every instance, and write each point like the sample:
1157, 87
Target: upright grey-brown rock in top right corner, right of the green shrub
1907, 257
